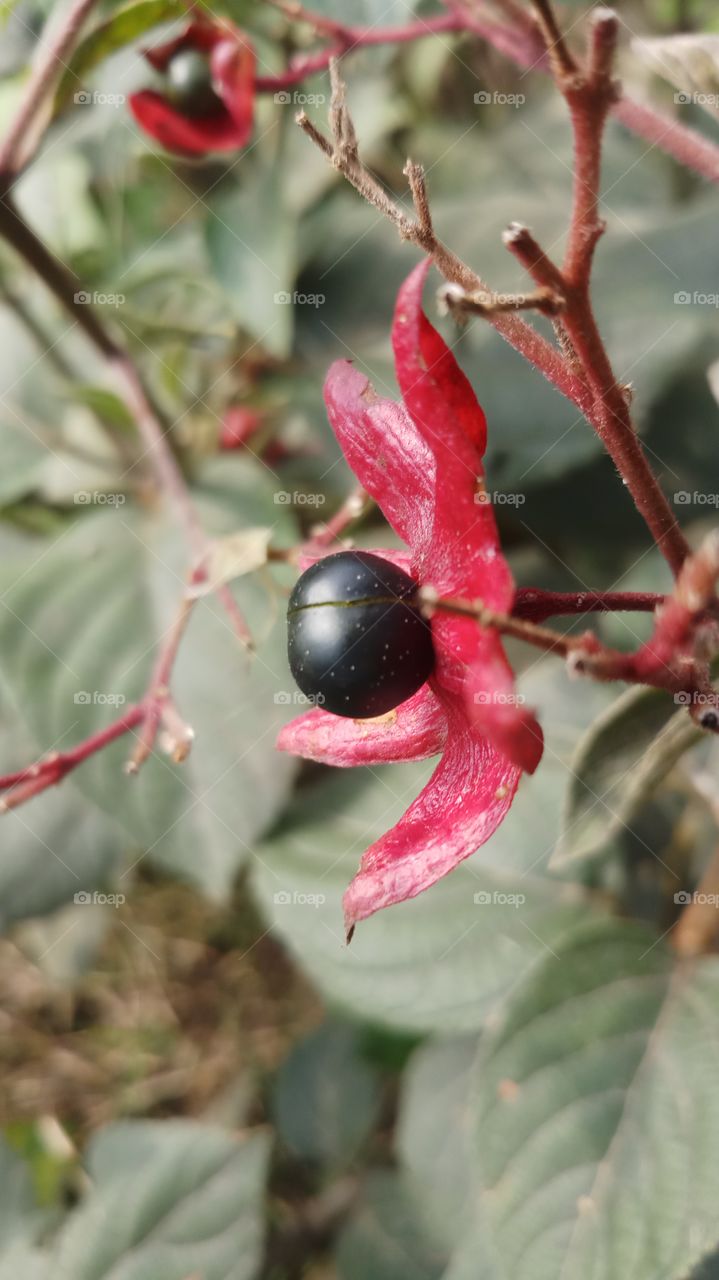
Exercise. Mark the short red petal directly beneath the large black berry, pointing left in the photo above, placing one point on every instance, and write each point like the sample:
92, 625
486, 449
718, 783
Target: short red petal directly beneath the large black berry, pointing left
415, 732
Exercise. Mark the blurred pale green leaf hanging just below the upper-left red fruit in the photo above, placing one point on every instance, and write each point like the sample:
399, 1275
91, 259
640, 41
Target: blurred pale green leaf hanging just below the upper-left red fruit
251, 246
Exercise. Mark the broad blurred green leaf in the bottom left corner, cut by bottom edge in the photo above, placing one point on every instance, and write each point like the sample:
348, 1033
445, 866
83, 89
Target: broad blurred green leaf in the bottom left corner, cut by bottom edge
170, 1200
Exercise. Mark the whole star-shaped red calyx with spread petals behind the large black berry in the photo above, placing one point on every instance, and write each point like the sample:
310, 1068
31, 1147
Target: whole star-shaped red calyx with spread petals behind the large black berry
423, 463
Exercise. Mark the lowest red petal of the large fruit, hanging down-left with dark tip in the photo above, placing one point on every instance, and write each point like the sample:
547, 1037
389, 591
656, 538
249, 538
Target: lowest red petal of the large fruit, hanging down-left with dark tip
460, 808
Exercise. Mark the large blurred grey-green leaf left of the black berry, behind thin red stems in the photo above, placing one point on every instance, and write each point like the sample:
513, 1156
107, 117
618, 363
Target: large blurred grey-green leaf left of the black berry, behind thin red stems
71, 670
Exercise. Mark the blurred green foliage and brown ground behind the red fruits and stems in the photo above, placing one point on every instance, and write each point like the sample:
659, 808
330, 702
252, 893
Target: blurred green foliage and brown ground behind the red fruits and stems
404, 1109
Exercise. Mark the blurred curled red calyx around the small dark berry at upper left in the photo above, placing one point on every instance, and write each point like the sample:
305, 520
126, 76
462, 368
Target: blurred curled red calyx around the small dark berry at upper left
232, 66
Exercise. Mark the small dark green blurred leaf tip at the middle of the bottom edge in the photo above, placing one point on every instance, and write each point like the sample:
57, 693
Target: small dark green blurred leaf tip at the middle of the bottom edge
387, 1240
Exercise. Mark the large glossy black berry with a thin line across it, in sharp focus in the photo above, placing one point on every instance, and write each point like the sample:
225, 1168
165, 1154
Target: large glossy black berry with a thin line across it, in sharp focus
356, 644
